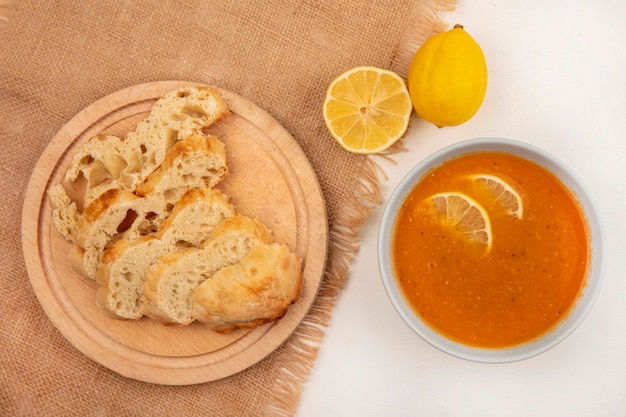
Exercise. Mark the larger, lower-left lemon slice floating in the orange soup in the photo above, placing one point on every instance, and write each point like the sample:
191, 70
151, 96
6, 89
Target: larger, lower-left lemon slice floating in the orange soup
466, 216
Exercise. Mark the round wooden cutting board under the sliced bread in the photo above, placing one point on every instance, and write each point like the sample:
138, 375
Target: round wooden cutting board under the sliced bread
270, 179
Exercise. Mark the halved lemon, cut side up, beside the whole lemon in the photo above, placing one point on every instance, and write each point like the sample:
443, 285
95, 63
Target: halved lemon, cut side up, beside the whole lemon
367, 109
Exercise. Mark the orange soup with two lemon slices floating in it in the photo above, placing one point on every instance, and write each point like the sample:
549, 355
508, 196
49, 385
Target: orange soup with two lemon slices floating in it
490, 249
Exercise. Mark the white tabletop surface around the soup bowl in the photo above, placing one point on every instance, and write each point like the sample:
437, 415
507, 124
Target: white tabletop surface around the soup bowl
557, 81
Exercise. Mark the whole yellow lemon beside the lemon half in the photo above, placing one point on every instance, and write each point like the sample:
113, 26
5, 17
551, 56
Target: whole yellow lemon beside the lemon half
447, 78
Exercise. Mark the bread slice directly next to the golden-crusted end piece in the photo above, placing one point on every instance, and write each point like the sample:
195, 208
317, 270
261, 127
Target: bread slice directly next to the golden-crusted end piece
170, 283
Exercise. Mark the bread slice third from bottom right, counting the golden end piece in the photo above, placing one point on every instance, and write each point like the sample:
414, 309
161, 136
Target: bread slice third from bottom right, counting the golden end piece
123, 268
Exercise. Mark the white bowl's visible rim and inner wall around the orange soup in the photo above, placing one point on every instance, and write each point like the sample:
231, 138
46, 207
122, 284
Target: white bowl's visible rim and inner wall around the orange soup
501, 355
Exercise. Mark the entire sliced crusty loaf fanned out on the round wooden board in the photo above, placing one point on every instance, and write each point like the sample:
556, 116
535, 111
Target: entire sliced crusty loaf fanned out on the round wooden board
147, 224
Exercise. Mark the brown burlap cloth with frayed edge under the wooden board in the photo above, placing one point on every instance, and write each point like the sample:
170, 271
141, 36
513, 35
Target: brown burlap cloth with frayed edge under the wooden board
56, 57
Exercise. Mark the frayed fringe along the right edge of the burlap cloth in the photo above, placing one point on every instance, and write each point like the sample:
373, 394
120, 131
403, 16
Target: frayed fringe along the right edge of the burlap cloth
344, 239
